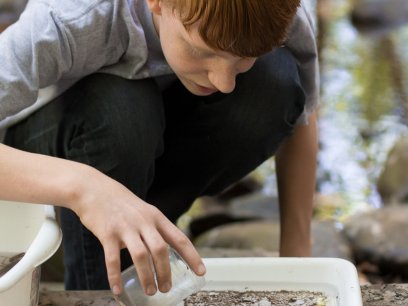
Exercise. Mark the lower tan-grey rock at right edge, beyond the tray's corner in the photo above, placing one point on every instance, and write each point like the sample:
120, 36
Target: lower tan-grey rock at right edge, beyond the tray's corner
380, 236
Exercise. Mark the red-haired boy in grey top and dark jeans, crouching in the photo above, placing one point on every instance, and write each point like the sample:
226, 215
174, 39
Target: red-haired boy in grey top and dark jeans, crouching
124, 112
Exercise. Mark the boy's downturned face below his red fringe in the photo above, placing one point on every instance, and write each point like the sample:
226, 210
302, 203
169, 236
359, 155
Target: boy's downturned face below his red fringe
202, 70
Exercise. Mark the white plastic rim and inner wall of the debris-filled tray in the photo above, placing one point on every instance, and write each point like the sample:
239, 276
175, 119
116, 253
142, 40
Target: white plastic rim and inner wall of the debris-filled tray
336, 278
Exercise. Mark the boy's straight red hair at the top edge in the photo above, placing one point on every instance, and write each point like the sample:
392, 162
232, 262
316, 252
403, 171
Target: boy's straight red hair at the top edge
246, 28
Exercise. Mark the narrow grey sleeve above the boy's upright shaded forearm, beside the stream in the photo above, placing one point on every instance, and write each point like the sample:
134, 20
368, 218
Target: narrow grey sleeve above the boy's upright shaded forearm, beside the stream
302, 43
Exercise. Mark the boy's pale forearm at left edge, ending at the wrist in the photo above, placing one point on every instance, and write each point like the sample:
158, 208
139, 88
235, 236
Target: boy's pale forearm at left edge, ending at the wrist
35, 178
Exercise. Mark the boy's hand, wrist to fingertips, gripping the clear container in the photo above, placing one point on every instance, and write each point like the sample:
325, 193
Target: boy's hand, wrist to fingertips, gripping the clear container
121, 220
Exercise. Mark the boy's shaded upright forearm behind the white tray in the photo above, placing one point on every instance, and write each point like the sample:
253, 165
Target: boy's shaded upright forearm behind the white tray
296, 171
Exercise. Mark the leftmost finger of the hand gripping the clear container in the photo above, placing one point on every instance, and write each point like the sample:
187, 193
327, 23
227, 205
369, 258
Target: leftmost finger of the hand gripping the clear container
112, 261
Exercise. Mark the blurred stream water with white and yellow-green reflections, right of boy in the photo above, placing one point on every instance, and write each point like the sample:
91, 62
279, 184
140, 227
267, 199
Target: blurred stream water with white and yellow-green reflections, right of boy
364, 98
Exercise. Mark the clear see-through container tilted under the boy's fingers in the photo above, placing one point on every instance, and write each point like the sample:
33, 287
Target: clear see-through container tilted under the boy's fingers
184, 283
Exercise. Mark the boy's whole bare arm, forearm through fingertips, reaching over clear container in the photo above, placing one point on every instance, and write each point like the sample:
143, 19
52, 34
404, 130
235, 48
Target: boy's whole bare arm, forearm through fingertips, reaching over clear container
117, 217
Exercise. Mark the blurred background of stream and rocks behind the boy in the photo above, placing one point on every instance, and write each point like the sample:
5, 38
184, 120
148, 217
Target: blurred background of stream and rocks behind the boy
362, 180
